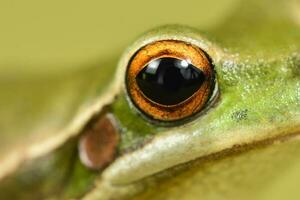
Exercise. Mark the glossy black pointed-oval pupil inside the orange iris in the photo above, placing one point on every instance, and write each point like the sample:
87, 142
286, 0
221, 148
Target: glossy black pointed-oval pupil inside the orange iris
169, 81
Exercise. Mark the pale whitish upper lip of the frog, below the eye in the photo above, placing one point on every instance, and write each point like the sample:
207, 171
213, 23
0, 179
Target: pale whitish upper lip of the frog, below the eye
145, 163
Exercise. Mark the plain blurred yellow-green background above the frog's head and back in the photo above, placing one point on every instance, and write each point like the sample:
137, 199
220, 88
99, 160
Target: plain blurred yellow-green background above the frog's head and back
67, 34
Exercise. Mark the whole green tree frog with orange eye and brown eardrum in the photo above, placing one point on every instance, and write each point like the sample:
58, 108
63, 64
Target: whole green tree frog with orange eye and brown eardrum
184, 113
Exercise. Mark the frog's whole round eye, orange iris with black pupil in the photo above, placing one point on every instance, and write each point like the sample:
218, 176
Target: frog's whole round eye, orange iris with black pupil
170, 80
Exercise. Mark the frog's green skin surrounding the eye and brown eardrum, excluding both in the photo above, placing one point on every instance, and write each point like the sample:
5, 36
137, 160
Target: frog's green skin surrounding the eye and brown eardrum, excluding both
237, 142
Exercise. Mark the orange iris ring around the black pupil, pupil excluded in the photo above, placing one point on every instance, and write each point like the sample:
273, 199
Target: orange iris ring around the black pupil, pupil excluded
169, 49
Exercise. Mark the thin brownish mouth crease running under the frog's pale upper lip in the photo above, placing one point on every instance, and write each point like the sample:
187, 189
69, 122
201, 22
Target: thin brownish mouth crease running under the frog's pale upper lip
138, 185
